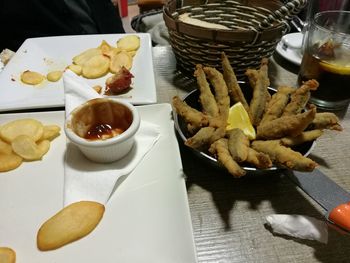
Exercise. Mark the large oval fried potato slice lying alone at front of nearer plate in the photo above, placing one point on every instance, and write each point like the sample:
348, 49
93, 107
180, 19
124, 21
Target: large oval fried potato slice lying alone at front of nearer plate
70, 224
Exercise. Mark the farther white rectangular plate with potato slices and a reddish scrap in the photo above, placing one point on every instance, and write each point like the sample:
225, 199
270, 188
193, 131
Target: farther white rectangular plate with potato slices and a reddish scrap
55, 53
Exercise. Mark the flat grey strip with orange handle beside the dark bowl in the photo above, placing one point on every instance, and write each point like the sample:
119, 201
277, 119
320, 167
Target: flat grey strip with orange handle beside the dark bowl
328, 194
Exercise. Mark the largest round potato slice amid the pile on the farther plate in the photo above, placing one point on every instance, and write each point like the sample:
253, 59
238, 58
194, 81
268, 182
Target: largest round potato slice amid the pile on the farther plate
96, 67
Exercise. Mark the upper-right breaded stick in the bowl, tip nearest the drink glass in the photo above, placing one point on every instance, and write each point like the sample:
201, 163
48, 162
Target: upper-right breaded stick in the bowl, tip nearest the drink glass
300, 98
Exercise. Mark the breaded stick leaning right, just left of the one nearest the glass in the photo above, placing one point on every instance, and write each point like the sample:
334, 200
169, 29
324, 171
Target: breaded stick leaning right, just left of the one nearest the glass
276, 105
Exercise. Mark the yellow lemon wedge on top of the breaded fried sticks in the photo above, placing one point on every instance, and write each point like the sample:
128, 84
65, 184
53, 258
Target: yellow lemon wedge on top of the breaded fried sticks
239, 118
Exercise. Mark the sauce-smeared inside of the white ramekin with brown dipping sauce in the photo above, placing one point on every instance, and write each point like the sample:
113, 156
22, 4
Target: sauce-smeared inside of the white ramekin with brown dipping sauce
101, 119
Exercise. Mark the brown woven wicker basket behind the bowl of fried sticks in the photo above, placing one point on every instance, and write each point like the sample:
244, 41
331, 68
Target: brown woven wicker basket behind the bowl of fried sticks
254, 29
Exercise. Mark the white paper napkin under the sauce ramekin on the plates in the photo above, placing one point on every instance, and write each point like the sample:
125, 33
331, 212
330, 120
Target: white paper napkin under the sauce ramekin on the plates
87, 180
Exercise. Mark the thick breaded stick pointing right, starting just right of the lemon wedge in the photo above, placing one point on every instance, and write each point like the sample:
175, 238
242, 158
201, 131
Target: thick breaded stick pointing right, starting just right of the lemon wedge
286, 125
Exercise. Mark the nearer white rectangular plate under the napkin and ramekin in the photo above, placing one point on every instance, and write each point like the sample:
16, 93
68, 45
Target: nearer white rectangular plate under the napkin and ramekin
146, 220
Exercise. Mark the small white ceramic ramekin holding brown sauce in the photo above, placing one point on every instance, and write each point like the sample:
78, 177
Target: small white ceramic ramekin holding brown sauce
103, 150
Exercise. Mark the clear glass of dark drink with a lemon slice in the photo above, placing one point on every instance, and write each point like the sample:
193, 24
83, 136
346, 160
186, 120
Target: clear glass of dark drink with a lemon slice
327, 59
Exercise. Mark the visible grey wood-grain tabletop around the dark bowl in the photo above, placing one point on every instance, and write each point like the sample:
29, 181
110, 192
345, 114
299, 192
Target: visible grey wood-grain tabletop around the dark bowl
228, 215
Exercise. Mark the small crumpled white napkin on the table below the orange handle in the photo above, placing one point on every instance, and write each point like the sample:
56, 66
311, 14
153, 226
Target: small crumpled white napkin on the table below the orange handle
299, 226
